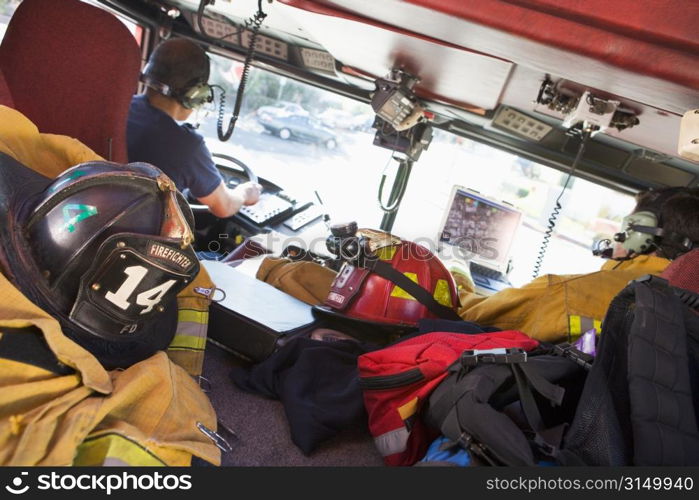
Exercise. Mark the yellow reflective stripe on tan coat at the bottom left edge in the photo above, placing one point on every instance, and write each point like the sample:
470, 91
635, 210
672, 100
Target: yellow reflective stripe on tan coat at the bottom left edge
114, 449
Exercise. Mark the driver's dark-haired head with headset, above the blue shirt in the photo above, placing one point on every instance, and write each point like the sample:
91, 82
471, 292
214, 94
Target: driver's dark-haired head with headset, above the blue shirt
179, 68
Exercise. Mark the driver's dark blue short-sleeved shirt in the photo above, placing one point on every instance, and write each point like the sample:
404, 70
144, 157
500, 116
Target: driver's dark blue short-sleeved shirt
154, 137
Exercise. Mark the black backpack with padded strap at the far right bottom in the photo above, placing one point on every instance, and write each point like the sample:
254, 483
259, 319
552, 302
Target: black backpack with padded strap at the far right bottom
640, 402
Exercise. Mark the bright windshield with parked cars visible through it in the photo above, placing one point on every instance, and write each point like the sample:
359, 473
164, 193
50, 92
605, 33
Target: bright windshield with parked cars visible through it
332, 153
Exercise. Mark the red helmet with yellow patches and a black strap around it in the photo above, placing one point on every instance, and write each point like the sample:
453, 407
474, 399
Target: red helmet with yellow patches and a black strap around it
371, 294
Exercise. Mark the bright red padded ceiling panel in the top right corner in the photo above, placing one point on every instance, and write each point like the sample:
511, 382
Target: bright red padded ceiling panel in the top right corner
652, 37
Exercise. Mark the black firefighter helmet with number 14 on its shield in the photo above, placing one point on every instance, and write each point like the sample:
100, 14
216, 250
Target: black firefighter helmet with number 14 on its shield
104, 248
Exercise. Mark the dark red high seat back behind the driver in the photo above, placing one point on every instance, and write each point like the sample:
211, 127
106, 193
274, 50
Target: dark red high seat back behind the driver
72, 68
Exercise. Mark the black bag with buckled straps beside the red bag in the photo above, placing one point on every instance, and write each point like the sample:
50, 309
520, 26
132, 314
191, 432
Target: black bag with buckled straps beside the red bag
509, 409
